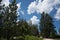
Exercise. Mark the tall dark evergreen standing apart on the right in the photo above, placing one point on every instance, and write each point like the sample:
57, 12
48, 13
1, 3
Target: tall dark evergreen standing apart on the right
46, 26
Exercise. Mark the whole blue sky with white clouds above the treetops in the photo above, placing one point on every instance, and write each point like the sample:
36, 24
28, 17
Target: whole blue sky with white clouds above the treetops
32, 9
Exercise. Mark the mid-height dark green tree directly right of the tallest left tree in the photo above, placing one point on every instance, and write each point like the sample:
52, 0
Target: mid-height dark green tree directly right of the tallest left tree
23, 27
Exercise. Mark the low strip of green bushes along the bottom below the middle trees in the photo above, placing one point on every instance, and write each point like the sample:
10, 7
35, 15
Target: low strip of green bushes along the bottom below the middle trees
26, 37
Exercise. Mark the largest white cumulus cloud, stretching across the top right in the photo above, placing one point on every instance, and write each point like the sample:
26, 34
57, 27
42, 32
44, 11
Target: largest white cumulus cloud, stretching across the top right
40, 6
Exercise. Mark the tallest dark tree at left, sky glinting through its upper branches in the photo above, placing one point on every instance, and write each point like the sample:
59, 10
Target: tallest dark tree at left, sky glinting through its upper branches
9, 21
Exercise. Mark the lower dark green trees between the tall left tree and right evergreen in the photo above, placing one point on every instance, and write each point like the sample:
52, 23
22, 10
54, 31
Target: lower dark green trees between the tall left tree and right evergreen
26, 29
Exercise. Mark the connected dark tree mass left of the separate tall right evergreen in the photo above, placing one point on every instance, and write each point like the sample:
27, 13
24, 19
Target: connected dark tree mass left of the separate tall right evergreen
10, 28
